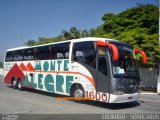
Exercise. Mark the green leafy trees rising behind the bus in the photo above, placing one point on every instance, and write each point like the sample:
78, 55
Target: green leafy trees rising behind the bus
137, 26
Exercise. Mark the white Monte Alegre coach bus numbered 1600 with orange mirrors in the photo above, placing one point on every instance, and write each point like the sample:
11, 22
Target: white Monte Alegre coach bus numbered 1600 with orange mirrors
100, 69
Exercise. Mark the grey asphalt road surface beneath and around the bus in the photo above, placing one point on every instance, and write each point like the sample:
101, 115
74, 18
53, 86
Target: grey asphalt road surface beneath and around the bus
13, 101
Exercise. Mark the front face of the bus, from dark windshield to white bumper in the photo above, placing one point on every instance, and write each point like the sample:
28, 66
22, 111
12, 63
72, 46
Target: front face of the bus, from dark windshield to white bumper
125, 81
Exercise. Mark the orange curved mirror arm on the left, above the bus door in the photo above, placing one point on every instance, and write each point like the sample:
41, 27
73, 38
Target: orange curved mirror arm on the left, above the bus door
111, 46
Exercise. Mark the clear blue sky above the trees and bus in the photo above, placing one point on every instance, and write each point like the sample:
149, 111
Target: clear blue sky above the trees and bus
23, 20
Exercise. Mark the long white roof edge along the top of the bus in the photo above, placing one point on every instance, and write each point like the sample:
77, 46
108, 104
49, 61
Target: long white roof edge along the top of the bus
73, 40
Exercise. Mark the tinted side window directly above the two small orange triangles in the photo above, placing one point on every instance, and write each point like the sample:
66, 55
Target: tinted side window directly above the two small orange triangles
29, 54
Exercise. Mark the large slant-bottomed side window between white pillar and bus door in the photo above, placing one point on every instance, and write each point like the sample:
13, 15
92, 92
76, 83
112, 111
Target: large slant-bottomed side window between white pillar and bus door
85, 52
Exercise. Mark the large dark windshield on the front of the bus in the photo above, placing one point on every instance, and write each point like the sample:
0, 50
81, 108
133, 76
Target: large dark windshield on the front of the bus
126, 62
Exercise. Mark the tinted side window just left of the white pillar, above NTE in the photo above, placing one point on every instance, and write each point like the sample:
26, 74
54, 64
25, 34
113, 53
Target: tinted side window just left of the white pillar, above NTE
59, 51
